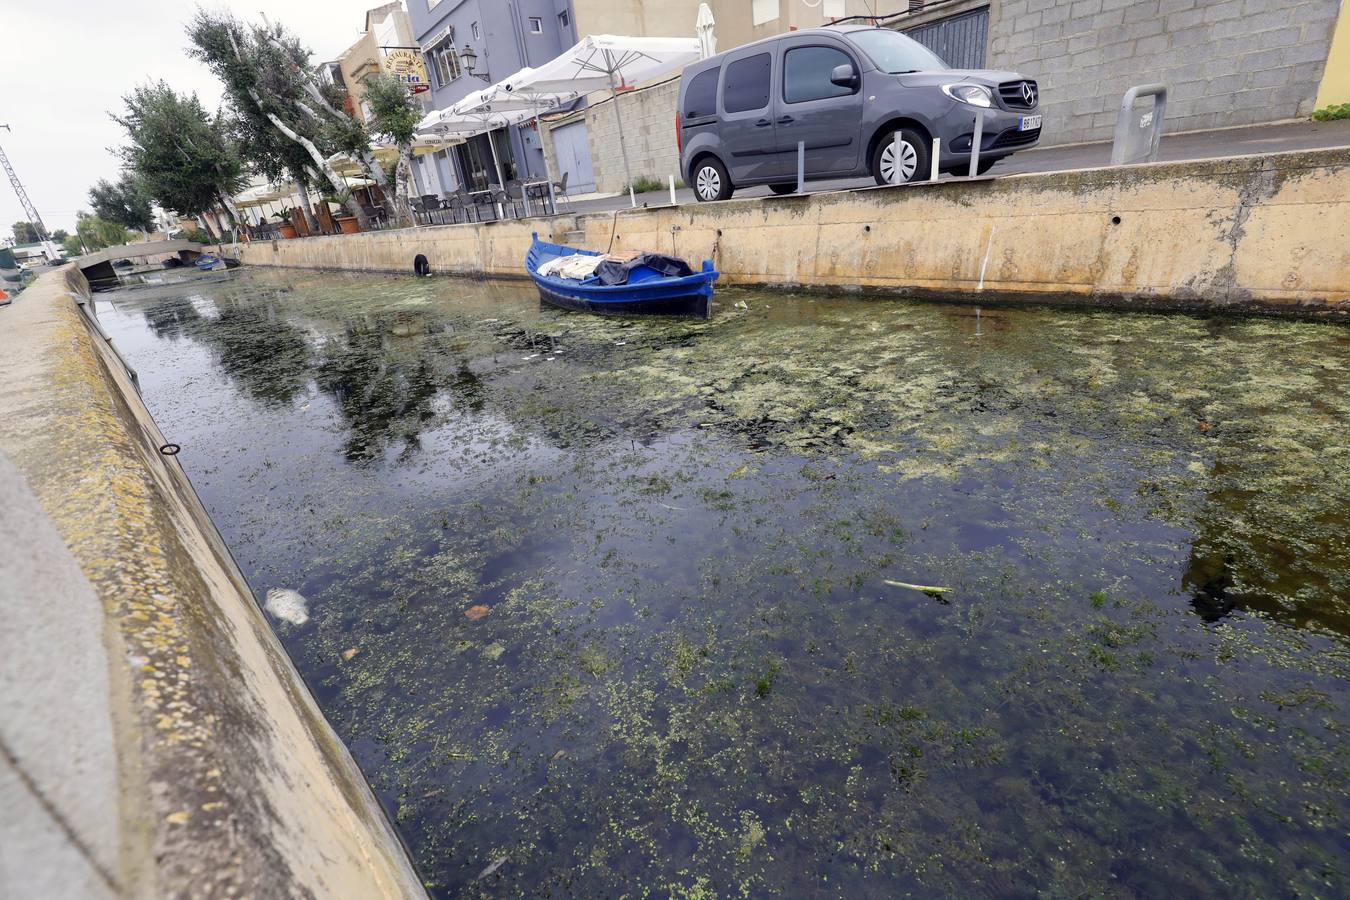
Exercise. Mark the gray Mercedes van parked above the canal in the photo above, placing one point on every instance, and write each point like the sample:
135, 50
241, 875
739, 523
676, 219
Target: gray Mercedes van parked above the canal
844, 91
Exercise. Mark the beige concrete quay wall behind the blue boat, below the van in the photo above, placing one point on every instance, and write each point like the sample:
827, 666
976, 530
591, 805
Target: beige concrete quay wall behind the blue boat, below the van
1263, 234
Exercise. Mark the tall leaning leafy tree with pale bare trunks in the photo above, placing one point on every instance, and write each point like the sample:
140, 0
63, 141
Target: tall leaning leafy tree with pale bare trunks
268, 78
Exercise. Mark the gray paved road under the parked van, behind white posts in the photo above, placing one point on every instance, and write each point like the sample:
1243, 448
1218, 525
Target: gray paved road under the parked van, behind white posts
1198, 145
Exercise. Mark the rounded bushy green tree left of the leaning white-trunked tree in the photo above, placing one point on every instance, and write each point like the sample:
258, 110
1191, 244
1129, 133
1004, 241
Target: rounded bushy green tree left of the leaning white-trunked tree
179, 153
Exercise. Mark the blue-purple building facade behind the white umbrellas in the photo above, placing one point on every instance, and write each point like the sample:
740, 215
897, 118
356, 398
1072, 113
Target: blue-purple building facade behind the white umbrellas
504, 37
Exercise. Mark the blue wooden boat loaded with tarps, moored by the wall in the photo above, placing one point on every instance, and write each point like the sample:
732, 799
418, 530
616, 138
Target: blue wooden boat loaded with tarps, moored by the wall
647, 291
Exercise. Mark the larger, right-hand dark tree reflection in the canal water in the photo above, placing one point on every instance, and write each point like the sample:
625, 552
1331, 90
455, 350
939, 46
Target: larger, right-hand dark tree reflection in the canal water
384, 377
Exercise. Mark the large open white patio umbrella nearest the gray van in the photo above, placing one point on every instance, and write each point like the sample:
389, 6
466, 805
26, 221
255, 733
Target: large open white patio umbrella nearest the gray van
612, 61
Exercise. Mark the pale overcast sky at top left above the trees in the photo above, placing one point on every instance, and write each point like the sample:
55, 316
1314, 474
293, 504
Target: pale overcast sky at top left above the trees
65, 64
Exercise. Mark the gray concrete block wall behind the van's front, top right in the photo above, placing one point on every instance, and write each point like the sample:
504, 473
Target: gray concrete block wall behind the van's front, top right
1226, 63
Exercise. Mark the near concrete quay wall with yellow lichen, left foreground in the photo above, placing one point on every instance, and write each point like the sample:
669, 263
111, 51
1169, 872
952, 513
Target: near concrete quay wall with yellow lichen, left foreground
156, 739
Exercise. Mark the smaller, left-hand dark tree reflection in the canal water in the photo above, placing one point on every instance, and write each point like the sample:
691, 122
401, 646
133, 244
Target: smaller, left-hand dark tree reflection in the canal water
264, 354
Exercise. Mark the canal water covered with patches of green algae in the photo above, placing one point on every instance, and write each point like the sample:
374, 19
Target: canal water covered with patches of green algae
824, 597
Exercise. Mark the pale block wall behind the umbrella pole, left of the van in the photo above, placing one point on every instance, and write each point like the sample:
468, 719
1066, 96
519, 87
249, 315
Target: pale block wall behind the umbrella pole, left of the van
649, 132
